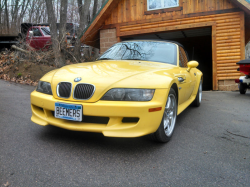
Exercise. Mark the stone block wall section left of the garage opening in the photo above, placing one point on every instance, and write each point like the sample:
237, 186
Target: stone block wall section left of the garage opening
107, 39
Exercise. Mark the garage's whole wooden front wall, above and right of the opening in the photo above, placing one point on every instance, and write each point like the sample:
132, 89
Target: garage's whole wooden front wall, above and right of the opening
131, 17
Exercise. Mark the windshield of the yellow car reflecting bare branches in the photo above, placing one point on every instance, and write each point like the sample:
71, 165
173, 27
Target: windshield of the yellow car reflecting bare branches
164, 52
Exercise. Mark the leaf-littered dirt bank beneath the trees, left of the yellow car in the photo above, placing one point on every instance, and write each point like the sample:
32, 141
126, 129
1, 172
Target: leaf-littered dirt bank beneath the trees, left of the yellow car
27, 66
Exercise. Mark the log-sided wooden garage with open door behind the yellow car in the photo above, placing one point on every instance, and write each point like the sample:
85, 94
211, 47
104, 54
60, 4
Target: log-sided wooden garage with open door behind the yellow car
214, 32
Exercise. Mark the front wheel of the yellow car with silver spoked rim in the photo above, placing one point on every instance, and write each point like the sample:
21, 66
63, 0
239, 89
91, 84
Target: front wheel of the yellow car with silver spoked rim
166, 128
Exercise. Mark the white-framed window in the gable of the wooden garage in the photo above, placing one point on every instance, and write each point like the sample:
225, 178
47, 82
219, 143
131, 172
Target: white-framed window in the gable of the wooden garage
161, 4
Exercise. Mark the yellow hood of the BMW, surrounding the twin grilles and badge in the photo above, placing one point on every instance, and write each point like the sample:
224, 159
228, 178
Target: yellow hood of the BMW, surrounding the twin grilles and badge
105, 75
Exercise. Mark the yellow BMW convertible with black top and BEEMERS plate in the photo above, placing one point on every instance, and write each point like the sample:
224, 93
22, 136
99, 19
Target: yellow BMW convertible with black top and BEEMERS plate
135, 88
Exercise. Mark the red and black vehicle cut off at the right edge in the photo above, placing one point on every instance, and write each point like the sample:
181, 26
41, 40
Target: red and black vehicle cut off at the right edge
244, 81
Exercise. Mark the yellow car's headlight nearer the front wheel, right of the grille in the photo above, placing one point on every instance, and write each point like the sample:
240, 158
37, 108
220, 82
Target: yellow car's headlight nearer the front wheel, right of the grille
125, 94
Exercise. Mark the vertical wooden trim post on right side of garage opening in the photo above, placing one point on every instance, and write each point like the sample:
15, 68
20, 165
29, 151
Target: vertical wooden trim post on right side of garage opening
214, 53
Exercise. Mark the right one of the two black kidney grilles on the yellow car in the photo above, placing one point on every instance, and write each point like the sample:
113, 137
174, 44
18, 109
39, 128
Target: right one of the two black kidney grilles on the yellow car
84, 91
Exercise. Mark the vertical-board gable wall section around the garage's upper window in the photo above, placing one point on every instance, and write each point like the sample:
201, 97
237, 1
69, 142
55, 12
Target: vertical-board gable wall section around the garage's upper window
133, 10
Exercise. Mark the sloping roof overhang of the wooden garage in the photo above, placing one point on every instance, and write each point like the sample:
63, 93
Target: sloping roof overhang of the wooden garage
90, 34
